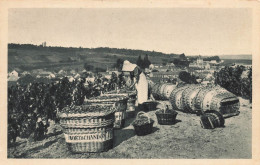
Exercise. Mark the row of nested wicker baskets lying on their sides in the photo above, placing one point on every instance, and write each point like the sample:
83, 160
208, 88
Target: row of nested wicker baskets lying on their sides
192, 98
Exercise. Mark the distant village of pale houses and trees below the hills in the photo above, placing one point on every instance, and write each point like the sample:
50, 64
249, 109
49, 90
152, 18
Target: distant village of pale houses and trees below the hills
201, 69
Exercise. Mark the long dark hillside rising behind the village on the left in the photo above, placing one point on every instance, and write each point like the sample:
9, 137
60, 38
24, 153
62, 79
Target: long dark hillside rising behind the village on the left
28, 57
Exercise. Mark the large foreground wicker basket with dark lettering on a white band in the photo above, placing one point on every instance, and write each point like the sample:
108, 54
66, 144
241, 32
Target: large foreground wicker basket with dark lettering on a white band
88, 131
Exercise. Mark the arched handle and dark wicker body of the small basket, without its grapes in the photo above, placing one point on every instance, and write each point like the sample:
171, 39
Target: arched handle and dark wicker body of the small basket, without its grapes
143, 129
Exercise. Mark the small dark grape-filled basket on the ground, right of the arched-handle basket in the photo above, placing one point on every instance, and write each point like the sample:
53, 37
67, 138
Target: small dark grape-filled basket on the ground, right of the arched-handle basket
165, 118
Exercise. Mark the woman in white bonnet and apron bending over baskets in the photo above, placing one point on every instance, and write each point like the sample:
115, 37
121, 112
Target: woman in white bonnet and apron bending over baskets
140, 82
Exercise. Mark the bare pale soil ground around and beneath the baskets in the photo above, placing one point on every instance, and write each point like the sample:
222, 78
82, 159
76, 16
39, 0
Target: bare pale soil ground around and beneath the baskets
185, 139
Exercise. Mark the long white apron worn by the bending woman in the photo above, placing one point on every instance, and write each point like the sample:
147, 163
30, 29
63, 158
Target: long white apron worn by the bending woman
142, 89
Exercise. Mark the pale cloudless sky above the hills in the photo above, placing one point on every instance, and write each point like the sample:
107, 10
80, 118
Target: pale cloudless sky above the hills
193, 31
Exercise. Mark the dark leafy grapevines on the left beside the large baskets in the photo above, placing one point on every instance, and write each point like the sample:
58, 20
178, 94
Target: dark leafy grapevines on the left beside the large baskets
27, 103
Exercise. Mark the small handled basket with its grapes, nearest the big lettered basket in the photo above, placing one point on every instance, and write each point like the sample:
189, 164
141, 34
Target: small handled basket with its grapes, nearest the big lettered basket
143, 124
